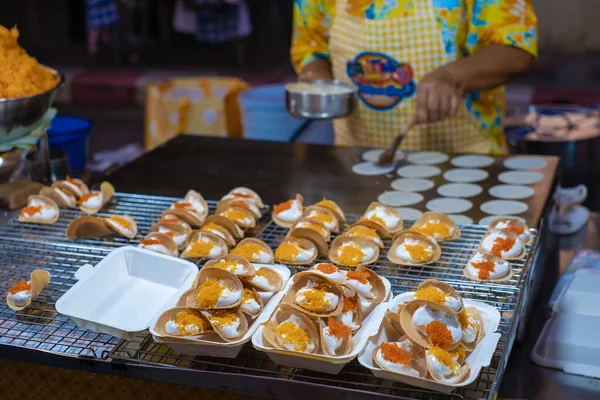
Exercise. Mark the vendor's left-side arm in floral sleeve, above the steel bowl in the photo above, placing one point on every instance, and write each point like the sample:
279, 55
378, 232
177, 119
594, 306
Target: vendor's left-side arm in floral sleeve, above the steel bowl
310, 42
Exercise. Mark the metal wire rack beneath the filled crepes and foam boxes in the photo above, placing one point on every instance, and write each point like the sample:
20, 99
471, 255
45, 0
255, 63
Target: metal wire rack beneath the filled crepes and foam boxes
25, 247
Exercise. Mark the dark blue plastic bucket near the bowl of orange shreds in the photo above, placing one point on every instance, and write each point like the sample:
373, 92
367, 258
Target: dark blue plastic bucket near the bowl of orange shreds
71, 135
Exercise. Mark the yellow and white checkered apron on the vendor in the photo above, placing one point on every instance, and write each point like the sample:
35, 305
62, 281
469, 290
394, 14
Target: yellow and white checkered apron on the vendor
413, 39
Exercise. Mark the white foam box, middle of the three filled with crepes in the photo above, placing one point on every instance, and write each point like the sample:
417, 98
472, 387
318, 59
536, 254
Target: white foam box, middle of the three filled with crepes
327, 364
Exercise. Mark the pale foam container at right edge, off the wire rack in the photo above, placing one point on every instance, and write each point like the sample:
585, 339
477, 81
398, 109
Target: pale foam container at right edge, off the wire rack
569, 339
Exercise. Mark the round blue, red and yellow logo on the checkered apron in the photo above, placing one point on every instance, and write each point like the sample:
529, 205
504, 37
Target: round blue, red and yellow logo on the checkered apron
382, 81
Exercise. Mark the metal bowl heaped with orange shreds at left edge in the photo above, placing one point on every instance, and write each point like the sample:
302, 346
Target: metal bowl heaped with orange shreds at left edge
19, 114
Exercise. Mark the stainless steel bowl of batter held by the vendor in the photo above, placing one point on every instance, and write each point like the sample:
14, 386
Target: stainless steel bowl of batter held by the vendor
317, 103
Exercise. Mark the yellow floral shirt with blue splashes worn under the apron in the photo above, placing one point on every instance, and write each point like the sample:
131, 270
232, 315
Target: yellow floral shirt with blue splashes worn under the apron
465, 26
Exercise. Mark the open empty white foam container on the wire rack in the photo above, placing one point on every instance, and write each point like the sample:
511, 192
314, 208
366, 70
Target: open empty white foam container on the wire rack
125, 291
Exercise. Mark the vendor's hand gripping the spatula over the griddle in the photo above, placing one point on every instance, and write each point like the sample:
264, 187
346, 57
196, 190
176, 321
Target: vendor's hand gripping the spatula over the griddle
439, 95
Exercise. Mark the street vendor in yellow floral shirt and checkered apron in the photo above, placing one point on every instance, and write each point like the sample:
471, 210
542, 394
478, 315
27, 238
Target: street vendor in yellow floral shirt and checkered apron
441, 62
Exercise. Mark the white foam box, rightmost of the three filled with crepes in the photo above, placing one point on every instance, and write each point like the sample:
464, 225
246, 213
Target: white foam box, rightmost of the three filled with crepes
479, 358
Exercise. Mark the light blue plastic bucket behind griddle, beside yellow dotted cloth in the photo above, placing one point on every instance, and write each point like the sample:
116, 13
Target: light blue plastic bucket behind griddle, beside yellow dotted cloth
264, 114
